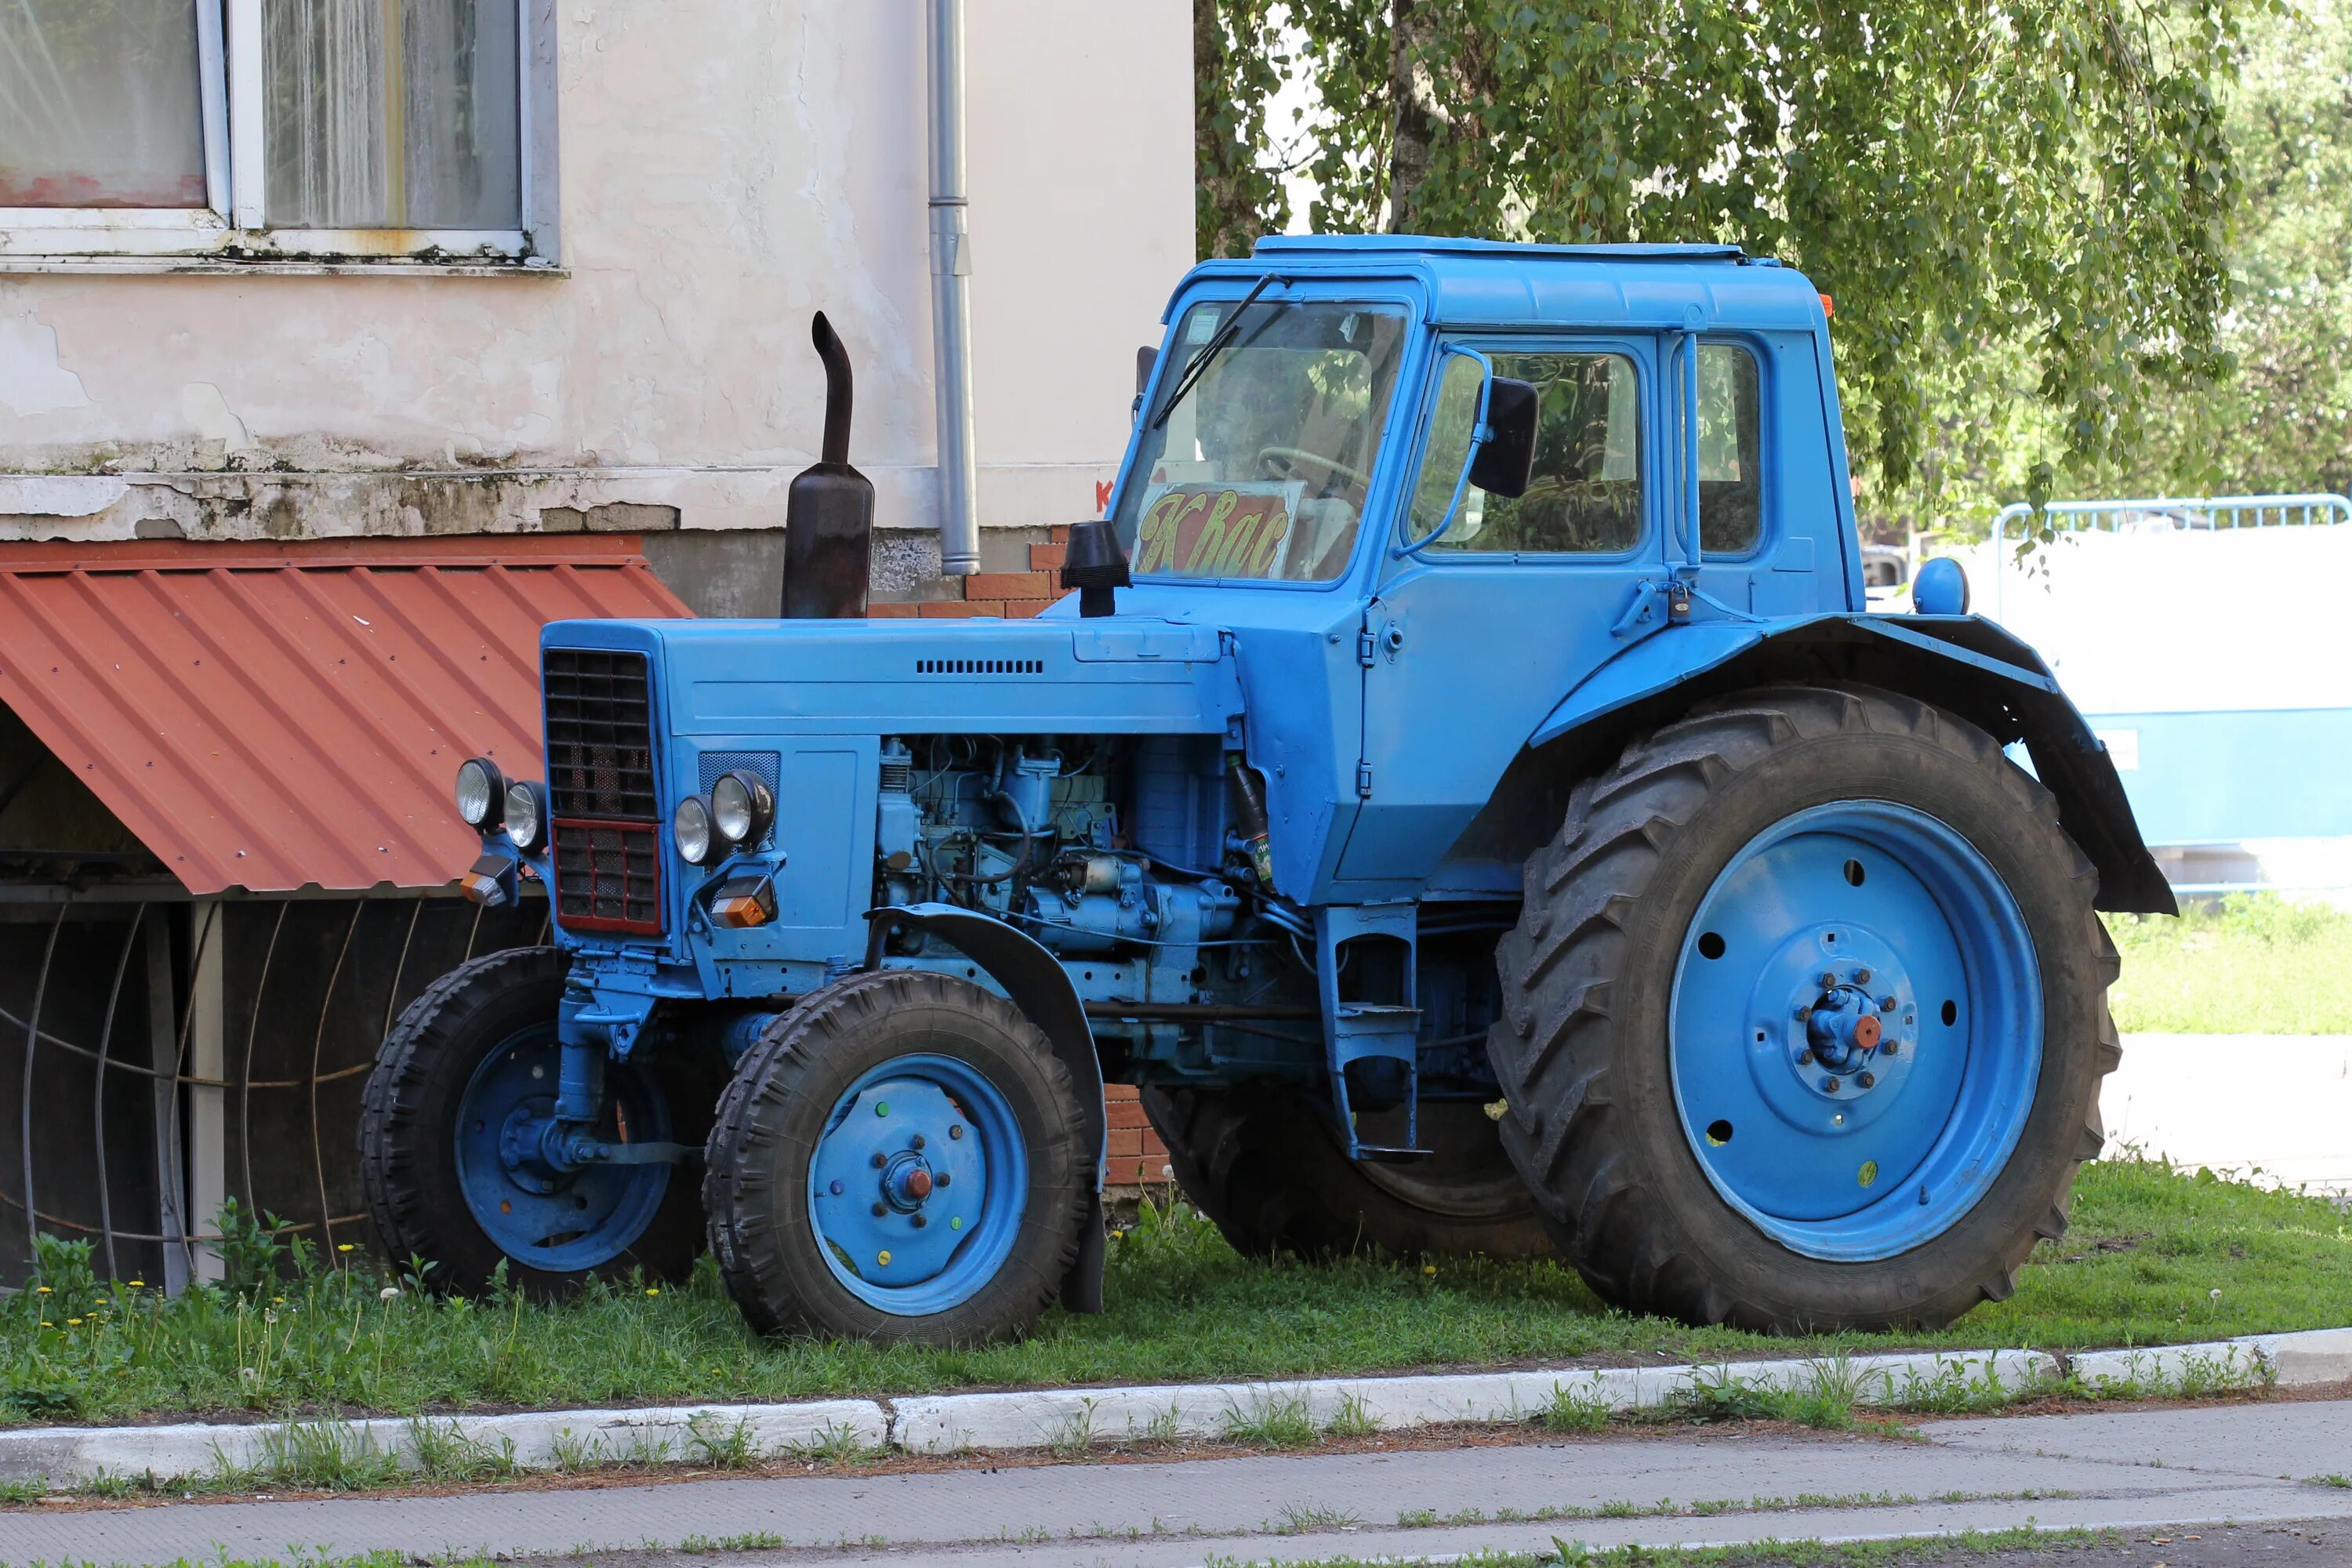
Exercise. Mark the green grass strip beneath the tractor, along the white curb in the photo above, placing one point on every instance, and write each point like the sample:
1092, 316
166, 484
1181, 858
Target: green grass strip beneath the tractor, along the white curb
2153, 1259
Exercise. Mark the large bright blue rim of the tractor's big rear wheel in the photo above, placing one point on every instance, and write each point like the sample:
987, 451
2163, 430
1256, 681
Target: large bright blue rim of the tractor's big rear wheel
1857, 1031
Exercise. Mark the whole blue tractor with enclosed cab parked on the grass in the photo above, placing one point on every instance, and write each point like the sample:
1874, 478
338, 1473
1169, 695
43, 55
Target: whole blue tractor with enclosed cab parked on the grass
1464, 791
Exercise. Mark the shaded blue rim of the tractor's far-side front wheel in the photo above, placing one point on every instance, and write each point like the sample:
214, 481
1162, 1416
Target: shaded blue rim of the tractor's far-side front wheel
556, 1221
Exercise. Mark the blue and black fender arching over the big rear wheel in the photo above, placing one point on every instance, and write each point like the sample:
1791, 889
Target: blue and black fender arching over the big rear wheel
1963, 664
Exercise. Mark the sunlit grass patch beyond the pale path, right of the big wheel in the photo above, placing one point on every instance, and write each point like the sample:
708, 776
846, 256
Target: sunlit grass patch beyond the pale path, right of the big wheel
2257, 965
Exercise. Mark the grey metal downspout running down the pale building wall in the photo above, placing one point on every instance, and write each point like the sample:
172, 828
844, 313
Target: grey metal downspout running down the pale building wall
951, 297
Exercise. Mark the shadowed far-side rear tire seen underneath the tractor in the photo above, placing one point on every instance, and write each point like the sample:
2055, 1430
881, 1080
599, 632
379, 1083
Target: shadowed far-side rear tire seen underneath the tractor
1264, 1165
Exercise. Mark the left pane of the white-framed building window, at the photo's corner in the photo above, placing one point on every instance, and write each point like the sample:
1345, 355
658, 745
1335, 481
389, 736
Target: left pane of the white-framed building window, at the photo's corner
100, 105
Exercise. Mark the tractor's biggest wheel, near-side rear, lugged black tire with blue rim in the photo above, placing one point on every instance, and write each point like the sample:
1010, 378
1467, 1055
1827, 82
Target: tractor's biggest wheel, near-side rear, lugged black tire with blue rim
1805, 1017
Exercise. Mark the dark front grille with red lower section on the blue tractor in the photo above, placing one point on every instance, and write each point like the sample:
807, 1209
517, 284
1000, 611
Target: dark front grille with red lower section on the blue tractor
601, 770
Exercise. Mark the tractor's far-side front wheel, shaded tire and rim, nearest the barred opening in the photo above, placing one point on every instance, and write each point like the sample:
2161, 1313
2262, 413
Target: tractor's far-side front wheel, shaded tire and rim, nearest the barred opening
476, 1052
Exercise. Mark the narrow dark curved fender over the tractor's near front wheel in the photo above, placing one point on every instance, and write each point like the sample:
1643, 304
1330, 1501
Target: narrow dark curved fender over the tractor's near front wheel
1036, 984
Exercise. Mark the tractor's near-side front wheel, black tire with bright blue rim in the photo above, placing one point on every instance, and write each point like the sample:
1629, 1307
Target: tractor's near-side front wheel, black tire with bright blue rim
900, 1158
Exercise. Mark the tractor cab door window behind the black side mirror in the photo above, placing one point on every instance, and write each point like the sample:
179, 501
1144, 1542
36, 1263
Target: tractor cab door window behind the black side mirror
1586, 495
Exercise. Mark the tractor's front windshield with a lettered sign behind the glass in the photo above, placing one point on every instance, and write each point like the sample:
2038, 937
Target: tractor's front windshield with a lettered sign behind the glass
1259, 471
